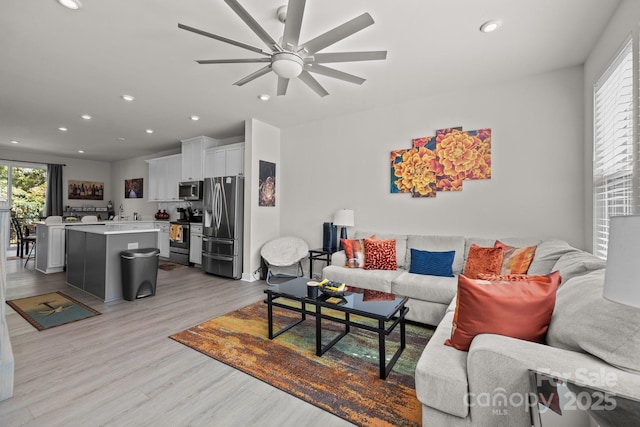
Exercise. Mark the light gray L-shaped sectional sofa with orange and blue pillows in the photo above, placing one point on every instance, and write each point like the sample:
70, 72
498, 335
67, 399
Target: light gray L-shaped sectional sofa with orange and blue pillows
588, 337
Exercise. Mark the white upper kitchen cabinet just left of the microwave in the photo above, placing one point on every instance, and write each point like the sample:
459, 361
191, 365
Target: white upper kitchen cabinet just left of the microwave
164, 175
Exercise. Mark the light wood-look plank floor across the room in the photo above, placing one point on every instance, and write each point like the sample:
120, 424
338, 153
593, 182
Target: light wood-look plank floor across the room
121, 369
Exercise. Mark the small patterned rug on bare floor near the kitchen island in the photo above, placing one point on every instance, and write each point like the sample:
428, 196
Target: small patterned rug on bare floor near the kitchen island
50, 310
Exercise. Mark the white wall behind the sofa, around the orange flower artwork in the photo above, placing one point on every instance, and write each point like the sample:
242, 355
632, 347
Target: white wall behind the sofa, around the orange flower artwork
537, 188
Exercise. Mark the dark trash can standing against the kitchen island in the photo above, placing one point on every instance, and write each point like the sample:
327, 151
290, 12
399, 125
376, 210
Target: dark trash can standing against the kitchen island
139, 272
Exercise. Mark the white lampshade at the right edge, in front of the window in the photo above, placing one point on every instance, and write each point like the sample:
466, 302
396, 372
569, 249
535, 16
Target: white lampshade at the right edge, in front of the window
621, 280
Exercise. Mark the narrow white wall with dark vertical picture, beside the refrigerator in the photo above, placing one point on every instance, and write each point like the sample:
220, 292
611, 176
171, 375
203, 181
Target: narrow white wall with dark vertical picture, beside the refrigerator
261, 223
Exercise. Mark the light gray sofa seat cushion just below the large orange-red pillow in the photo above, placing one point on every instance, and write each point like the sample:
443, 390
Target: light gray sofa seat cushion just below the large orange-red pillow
441, 374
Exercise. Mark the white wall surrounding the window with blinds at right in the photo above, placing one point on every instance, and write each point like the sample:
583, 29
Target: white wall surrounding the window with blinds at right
623, 24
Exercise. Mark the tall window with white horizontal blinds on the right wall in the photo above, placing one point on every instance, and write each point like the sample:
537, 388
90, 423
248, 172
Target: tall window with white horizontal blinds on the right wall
613, 158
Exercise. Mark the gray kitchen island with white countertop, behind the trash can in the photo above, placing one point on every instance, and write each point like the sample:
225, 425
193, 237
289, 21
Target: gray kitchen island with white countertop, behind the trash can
93, 257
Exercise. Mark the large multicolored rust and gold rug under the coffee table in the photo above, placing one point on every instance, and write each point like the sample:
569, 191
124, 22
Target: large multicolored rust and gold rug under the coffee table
344, 381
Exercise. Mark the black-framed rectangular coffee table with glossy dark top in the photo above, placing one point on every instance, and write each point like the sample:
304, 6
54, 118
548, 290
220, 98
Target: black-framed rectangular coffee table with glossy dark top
387, 309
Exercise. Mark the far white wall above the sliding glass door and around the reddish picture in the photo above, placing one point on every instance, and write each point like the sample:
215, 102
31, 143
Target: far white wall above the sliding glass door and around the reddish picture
75, 169
